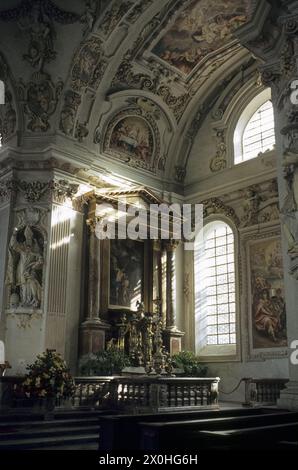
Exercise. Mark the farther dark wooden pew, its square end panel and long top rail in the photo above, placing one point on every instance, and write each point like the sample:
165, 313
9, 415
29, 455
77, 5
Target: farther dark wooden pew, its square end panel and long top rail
122, 432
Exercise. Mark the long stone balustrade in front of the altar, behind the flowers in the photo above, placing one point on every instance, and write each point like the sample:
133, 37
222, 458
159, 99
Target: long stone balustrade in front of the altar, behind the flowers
133, 393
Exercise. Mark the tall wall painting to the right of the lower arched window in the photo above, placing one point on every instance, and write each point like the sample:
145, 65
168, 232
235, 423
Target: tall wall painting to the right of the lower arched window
268, 314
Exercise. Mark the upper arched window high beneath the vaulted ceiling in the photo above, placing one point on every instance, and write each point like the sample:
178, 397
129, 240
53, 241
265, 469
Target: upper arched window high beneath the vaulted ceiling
255, 131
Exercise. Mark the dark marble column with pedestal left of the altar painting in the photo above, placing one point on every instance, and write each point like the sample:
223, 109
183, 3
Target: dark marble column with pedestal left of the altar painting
93, 329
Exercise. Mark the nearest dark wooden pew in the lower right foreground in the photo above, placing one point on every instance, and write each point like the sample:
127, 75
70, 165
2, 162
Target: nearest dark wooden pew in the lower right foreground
253, 431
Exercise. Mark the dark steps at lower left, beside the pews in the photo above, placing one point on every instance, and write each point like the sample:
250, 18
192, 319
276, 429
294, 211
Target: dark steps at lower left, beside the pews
69, 430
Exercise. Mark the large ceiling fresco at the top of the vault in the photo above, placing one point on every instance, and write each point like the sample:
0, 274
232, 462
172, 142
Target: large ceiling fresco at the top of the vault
201, 28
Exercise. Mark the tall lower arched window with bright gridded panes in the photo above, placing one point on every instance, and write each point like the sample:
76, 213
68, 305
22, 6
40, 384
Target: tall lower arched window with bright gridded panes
215, 290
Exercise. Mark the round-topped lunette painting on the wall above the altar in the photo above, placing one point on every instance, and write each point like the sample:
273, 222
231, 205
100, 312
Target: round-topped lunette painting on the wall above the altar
133, 136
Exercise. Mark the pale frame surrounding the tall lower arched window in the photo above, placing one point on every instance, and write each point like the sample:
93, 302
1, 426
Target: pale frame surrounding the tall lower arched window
226, 352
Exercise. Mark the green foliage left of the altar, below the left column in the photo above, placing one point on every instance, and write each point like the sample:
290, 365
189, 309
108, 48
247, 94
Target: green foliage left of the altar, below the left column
109, 362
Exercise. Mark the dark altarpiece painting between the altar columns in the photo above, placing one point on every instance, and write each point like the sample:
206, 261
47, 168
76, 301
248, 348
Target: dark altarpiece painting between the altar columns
126, 273
